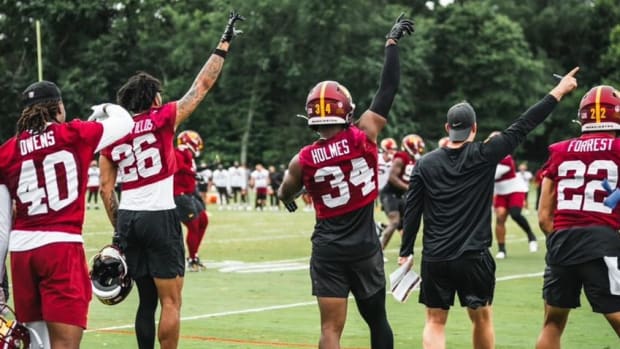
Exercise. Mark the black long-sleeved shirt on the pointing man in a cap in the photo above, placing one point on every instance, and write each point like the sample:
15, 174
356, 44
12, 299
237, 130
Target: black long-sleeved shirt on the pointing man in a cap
452, 189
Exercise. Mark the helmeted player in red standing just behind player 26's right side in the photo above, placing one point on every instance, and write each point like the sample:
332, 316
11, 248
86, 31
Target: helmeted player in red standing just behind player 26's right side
190, 205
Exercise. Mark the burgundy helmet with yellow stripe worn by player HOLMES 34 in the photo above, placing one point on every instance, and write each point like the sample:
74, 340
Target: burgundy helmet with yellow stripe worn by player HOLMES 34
329, 103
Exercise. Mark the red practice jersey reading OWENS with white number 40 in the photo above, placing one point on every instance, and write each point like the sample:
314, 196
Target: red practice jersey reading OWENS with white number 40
46, 174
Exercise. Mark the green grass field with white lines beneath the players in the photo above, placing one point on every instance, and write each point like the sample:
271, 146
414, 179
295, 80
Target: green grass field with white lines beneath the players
256, 293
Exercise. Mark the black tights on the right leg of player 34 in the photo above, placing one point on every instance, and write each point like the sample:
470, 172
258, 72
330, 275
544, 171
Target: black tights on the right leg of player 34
373, 311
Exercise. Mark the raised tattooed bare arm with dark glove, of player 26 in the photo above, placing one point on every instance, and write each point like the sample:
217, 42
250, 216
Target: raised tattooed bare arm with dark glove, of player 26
209, 73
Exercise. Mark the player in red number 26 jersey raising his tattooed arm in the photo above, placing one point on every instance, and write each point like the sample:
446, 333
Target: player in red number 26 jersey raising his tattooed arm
147, 226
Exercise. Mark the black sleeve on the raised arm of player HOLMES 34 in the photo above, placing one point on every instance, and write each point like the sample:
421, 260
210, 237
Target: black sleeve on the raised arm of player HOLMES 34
390, 78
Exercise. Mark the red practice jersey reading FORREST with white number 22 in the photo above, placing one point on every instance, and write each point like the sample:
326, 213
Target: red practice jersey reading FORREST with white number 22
578, 167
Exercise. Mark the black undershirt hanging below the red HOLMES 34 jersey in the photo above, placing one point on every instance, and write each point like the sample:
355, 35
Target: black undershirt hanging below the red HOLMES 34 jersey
349, 237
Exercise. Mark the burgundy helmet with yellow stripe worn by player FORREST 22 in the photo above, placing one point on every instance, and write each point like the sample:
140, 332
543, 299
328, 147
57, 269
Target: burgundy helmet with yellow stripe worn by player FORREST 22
599, 109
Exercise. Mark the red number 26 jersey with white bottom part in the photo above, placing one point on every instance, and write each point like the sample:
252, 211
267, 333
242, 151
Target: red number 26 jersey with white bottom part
146, 160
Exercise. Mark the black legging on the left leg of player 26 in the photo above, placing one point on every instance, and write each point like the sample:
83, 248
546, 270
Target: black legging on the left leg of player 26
145, 317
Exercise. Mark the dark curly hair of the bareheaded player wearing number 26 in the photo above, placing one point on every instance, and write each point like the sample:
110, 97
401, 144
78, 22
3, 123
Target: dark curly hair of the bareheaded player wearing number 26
138, 93
